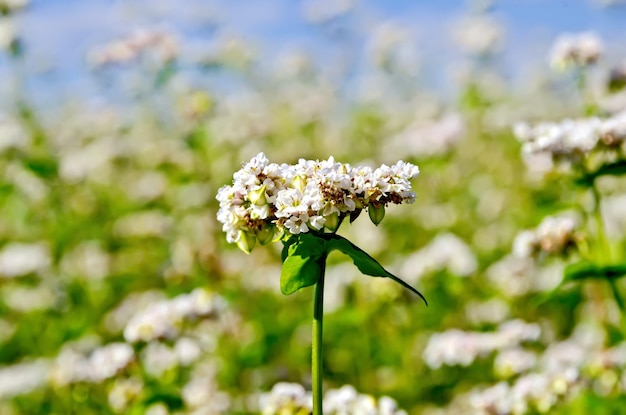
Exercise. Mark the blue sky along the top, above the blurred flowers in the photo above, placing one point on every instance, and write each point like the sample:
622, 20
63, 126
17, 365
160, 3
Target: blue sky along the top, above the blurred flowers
59, 33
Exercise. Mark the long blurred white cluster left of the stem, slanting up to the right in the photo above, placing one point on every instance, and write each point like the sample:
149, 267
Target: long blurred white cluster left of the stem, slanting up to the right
165, 318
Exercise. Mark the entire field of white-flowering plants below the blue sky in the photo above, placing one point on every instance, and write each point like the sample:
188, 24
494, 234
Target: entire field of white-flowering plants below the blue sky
124, 288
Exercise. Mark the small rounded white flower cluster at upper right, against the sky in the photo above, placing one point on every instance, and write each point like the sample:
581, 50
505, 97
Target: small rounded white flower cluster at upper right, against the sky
575, 50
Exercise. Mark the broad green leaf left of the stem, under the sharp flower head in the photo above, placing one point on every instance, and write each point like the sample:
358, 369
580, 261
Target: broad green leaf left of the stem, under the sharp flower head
304, 257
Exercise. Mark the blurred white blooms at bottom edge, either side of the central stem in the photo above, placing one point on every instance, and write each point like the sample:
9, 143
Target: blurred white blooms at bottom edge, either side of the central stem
292, 398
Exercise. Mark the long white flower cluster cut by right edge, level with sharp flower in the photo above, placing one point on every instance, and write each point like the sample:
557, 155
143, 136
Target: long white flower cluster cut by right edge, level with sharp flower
572, 136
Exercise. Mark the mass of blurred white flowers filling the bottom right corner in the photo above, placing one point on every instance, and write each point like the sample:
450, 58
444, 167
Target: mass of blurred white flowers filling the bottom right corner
539, 383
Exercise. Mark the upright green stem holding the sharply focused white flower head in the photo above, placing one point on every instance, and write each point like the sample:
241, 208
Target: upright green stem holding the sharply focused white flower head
318, 319
